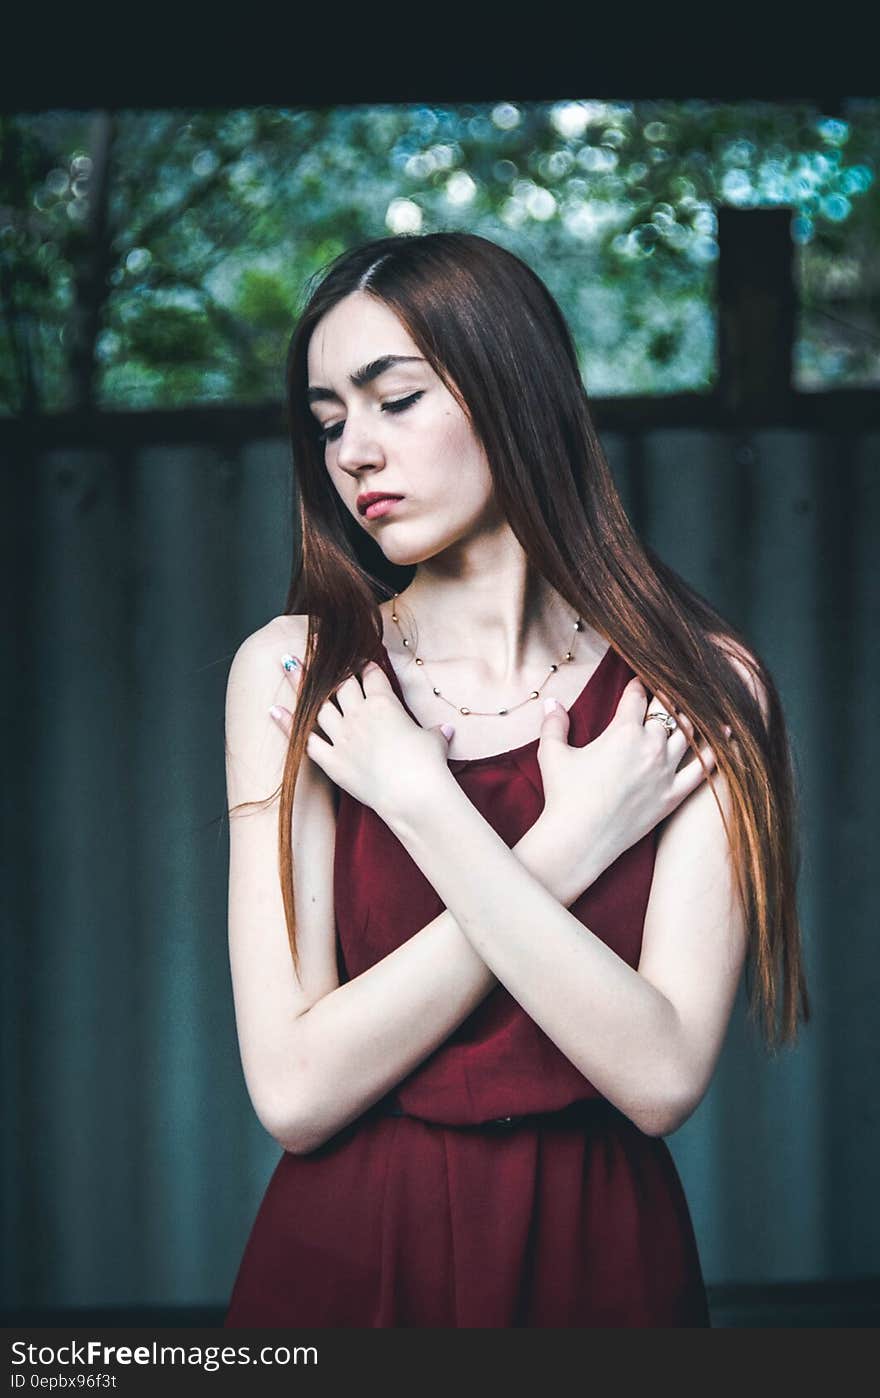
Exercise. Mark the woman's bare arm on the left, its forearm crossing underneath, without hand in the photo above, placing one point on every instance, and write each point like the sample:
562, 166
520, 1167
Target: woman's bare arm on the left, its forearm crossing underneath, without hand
318, 1055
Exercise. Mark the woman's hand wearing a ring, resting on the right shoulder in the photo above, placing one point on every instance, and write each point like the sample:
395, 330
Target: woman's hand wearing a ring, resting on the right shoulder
604, 798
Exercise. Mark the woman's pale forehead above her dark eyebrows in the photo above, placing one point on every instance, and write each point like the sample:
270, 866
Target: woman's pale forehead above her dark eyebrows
355, 332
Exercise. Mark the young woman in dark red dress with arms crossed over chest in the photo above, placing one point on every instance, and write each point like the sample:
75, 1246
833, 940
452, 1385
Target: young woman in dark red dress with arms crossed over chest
532, 814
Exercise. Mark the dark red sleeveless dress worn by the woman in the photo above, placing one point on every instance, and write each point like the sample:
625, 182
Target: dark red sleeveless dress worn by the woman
496, 1188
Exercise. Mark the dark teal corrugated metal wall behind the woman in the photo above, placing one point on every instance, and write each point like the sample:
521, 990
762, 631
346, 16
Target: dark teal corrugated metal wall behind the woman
134, 1164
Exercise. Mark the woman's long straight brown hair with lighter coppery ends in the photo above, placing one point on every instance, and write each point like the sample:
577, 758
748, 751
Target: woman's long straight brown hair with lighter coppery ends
497, 339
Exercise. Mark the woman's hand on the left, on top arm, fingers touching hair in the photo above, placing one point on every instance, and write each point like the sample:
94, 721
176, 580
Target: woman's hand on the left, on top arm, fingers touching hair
373, 750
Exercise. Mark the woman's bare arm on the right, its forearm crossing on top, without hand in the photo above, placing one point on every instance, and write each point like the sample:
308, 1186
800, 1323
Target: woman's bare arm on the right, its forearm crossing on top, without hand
647, 1038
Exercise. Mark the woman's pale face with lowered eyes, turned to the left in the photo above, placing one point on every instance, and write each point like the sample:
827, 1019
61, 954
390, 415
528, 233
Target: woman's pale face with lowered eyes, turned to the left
391, 426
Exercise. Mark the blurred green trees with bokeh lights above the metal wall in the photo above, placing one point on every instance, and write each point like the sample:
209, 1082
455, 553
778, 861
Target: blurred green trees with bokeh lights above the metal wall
153, 259
